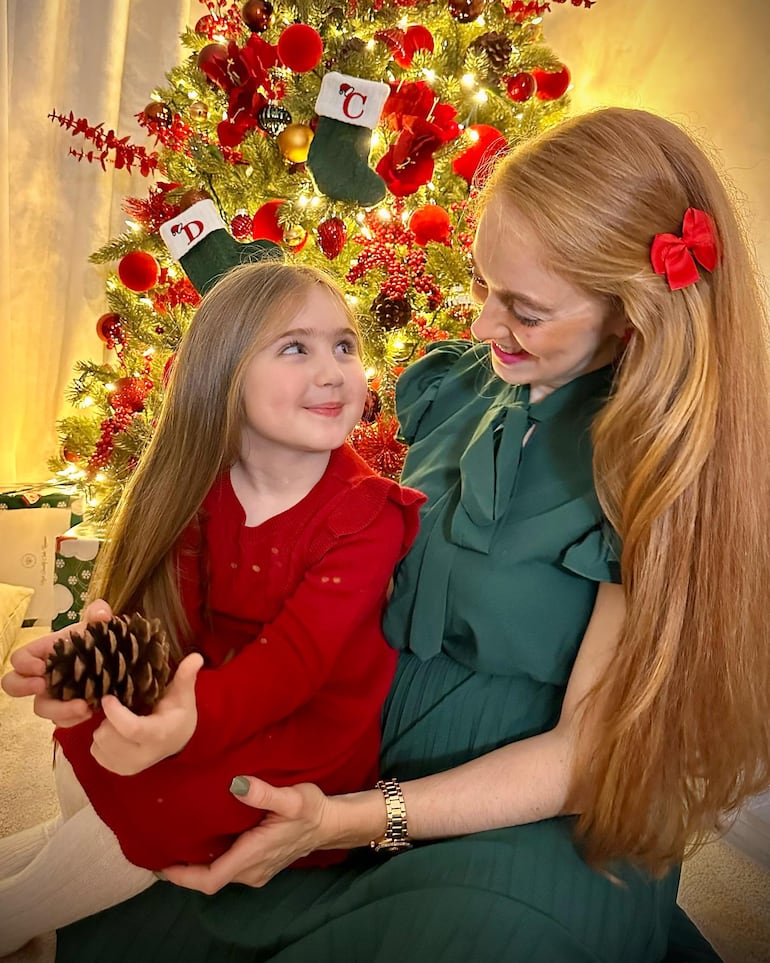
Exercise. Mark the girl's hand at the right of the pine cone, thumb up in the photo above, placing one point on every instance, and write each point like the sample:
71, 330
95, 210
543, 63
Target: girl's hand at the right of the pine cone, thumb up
126, 743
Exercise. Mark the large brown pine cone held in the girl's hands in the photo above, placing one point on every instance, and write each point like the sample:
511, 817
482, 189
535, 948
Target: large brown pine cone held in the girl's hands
126, 657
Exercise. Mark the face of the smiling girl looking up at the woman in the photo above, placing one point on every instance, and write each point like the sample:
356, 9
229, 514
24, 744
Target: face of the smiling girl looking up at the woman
305, 391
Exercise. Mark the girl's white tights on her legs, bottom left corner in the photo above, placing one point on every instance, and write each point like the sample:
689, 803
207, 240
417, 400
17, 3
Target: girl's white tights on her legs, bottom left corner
61, 871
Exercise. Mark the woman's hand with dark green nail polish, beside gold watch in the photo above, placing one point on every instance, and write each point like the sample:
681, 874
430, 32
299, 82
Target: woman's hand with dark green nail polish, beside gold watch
299, 820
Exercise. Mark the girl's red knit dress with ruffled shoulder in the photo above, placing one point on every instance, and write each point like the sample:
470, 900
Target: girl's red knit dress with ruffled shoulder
287, 615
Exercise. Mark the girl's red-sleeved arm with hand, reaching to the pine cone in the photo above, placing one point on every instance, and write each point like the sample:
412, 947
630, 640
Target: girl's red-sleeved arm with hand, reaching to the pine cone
335, 607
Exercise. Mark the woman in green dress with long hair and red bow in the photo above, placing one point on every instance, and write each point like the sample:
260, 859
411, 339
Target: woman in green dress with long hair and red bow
620, 306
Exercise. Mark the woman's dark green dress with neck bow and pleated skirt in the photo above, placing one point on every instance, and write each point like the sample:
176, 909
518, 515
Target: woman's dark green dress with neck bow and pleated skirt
488, 611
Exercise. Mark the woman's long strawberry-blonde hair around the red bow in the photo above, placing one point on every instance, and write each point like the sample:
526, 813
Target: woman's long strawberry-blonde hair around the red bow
681, 463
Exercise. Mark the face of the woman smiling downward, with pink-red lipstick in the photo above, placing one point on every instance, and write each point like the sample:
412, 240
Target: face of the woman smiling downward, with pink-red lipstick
543, 331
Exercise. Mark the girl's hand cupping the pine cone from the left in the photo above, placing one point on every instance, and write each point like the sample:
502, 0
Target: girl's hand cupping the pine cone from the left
26, 677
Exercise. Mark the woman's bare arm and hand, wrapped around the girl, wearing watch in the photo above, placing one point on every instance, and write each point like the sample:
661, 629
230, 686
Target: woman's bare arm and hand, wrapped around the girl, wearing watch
522, 782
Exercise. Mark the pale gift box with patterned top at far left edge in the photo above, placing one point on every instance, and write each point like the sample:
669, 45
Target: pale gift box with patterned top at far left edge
31, 516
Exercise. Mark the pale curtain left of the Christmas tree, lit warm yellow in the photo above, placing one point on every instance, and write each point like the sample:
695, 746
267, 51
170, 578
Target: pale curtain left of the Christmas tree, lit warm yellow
100, 59
